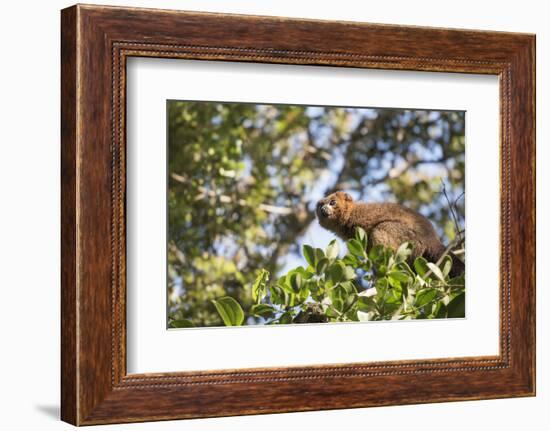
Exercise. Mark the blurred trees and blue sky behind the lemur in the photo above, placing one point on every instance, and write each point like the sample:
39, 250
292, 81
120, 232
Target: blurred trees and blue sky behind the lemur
243, 180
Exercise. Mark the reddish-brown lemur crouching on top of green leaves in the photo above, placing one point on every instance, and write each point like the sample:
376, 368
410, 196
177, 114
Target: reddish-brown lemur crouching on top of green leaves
386, 223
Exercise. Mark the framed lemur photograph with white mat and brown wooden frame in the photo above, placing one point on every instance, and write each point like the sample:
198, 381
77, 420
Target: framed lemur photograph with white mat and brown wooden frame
263, 214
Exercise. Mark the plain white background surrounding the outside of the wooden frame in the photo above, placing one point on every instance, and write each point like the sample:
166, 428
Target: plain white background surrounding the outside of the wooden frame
29, 215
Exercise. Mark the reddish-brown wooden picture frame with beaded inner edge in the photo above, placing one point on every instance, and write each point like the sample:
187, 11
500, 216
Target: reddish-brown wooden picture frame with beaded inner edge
95, 43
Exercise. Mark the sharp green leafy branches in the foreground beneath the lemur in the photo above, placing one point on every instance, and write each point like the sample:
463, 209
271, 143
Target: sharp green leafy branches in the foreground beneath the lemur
380, 285
